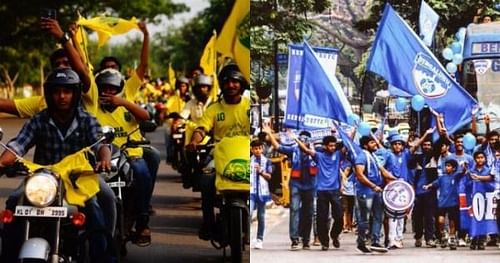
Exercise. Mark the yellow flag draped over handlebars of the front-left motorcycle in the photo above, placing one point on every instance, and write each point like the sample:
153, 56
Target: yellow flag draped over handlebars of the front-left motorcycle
87, 184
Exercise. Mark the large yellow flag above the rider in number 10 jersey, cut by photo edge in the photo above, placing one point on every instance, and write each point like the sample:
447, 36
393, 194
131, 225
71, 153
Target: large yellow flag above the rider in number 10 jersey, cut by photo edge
234, 39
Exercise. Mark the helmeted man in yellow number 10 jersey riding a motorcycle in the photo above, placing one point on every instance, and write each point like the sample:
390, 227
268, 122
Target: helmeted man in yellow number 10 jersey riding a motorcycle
227, 117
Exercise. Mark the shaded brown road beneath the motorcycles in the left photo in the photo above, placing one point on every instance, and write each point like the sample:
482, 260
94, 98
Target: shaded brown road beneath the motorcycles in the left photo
175, 225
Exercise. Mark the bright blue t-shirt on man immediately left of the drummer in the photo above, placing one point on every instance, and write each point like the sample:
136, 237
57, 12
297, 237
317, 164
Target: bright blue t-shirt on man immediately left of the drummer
328, 177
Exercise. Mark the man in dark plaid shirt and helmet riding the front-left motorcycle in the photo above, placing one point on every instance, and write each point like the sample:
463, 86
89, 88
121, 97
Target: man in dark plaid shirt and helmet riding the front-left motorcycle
60, 130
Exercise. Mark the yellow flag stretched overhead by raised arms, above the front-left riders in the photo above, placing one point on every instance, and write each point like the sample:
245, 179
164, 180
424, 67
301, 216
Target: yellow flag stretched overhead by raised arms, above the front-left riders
108, 26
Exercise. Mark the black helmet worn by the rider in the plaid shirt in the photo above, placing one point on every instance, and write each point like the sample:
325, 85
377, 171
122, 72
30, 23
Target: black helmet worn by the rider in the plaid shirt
62, 77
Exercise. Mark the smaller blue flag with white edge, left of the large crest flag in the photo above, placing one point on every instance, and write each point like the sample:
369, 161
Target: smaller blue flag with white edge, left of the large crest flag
321, 97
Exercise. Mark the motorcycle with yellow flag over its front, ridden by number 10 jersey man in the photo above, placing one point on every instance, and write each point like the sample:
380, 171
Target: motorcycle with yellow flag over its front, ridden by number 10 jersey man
231, 169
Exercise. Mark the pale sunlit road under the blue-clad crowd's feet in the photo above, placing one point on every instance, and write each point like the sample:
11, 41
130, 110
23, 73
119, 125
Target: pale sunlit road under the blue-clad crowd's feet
277, 247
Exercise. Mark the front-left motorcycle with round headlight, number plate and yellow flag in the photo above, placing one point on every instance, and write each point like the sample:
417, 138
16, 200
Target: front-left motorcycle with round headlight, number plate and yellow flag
53, 226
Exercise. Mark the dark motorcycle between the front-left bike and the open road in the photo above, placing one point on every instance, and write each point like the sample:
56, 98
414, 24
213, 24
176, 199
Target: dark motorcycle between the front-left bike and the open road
121, 180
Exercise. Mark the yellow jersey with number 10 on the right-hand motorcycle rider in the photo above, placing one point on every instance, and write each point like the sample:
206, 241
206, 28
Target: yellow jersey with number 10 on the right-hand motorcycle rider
227, 120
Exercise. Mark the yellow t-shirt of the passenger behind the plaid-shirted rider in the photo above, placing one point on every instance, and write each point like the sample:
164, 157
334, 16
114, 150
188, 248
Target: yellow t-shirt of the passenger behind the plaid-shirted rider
29, 107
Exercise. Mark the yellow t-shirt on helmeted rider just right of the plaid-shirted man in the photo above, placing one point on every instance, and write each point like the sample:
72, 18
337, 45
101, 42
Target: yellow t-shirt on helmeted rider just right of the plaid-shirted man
123, 122
